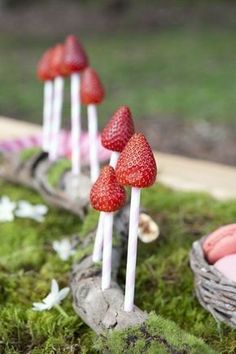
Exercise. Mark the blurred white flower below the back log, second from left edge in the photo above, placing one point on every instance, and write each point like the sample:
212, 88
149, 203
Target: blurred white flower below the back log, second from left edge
28, 210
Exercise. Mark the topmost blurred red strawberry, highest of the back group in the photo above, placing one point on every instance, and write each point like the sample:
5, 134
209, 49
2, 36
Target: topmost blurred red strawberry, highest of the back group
75, 58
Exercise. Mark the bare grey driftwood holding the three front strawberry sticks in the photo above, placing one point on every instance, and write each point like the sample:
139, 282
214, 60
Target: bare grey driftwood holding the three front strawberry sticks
103, 310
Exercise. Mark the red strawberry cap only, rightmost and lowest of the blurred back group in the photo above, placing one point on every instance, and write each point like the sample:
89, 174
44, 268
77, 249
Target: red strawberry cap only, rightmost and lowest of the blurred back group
91, 87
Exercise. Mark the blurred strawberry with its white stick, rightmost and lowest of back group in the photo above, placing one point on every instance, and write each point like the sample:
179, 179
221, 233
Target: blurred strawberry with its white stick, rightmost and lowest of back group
92, 93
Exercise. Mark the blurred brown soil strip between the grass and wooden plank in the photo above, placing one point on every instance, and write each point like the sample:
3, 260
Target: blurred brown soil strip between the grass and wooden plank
215, 142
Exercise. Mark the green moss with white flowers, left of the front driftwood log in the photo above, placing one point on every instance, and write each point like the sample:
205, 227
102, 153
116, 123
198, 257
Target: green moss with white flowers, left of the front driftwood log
27, 265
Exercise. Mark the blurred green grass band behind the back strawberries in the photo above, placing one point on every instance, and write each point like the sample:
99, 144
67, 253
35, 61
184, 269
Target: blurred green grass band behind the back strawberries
178, 72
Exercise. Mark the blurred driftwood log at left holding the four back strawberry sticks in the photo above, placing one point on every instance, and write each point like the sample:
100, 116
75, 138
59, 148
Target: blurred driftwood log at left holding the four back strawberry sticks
32, 173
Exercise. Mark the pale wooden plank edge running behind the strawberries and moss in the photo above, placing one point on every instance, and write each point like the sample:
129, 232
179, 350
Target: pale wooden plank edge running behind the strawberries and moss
175, 171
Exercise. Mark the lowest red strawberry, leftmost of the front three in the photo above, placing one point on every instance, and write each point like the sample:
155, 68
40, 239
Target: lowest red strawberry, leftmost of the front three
106, 194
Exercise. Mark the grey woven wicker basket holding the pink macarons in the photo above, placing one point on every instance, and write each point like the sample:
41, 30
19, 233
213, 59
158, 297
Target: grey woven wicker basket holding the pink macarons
215, 293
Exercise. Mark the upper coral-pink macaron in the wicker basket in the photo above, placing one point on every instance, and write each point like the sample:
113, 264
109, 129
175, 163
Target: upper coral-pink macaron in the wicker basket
220, 243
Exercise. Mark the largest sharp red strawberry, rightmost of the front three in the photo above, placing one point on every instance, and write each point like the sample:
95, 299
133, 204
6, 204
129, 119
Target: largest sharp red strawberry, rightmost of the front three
136, 166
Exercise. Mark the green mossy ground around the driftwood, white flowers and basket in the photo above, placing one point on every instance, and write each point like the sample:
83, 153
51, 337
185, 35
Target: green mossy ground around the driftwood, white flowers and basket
164, 280
